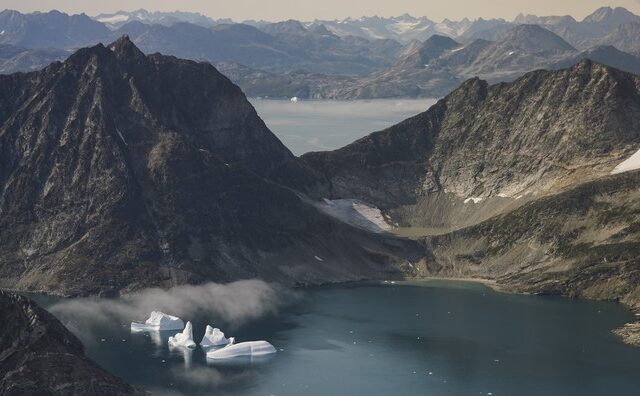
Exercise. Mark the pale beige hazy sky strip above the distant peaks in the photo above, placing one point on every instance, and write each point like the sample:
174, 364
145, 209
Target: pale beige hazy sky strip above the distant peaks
330, 9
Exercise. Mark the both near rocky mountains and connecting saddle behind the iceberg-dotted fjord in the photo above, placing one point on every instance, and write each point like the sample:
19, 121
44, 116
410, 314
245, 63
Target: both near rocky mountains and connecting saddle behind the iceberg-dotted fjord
112, 181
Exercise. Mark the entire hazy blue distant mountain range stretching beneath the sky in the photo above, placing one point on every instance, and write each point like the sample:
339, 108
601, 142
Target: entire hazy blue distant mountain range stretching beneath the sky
349, 59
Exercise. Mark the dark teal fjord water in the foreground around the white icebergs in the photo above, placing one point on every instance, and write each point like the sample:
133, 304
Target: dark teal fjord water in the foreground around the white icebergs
419, 338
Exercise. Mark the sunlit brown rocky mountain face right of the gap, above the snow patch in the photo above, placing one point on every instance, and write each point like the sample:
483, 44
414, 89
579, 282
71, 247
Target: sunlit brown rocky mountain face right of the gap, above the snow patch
492, 146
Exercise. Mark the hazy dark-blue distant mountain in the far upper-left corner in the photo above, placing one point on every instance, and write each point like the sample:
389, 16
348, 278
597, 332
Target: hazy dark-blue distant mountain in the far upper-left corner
49, 30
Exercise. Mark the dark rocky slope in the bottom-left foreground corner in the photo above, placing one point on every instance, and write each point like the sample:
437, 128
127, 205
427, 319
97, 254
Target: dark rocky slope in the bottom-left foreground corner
39, 356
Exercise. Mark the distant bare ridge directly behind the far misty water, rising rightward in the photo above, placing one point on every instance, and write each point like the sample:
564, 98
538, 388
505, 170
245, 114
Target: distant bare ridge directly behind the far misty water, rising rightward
435, 67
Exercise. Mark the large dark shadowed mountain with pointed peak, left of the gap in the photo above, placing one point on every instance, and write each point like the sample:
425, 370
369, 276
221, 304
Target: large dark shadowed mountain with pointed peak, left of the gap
120, 170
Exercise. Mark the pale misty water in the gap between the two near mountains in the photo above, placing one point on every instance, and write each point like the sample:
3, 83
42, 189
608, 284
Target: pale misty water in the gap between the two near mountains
319, 125
